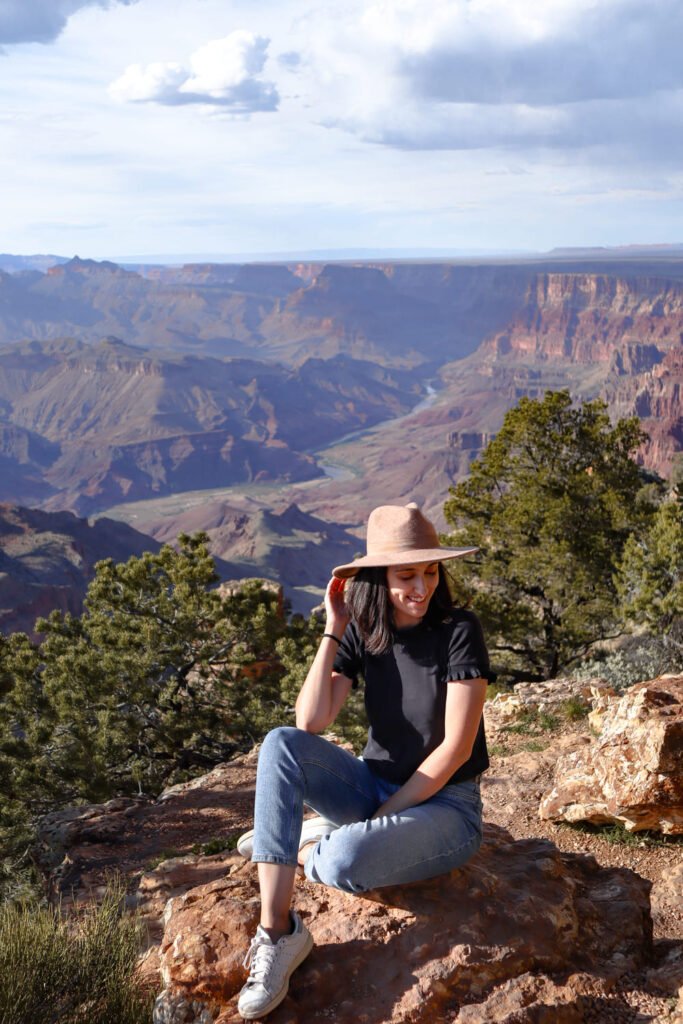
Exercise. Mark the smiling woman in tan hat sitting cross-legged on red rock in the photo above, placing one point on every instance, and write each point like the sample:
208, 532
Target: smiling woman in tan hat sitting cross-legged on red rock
410, 807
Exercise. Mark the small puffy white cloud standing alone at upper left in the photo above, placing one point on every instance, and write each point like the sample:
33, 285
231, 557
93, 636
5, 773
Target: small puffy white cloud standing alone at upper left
223, 73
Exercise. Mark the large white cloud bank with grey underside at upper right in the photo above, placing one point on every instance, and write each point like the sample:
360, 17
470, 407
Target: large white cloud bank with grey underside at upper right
594, 77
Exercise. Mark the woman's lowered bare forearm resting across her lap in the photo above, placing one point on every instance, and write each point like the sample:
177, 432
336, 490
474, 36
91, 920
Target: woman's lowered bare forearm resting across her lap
464, 704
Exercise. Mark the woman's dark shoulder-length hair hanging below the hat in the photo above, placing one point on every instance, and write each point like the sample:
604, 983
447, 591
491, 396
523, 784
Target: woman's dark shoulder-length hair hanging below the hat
368, 602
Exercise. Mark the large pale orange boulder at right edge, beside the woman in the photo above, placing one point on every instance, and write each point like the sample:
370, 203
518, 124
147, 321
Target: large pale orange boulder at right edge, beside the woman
633, 773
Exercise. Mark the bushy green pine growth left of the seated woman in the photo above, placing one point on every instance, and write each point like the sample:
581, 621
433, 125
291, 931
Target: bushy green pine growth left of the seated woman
162, 677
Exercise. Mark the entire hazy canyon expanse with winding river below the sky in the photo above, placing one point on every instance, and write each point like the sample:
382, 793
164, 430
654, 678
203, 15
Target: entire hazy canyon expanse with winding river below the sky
119, 387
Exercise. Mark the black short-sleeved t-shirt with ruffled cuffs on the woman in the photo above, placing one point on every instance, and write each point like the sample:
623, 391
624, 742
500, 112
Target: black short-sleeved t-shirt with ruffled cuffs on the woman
406, 692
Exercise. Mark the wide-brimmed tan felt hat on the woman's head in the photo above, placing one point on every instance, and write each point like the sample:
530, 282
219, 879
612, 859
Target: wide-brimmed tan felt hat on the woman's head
400, 535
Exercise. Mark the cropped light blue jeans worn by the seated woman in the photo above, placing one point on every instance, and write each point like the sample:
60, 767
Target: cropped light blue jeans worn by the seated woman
297, 767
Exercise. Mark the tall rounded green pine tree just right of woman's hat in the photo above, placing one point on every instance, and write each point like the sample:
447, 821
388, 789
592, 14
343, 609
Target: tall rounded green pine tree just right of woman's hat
550, 503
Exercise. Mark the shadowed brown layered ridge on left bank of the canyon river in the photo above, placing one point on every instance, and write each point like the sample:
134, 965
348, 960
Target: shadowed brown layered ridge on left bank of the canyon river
90, 426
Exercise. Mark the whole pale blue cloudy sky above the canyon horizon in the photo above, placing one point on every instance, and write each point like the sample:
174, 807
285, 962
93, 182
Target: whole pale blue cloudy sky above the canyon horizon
235, 126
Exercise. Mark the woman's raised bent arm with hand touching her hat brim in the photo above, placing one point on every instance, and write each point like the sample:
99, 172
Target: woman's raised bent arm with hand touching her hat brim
324, 692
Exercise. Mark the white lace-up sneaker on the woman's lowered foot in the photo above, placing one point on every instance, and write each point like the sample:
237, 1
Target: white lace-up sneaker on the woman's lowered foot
271, 967
